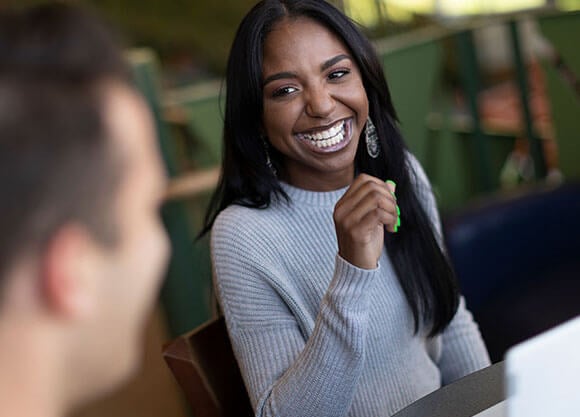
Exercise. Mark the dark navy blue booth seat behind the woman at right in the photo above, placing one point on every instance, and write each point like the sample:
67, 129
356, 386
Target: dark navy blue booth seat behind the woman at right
517, 259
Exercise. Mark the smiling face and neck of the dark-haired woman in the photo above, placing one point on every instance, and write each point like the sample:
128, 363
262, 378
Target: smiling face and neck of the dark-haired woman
315, 104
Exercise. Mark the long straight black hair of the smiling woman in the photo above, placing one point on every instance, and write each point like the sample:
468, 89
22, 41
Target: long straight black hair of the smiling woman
423, 270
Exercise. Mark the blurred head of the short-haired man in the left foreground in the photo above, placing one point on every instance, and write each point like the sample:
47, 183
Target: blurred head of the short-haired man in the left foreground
82, 249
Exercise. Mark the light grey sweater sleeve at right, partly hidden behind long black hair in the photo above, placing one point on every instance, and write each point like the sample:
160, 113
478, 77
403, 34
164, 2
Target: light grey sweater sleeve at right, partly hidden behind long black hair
463, 349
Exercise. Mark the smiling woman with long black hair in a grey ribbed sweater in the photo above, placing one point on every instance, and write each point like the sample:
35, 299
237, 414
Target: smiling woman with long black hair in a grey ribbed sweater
331, 309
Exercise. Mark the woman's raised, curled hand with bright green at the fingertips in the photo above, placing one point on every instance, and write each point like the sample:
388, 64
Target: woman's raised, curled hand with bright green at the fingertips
360, 218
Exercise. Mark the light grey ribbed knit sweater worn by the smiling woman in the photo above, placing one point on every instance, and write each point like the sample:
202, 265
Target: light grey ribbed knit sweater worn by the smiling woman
316, 336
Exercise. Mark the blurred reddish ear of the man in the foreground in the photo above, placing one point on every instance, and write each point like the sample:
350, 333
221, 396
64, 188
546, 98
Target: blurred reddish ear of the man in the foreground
68, 271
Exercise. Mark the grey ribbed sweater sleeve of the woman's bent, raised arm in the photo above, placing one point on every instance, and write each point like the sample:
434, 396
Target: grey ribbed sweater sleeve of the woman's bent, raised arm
286, 372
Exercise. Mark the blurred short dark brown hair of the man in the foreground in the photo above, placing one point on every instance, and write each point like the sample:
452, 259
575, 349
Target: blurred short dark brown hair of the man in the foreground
57, 163
